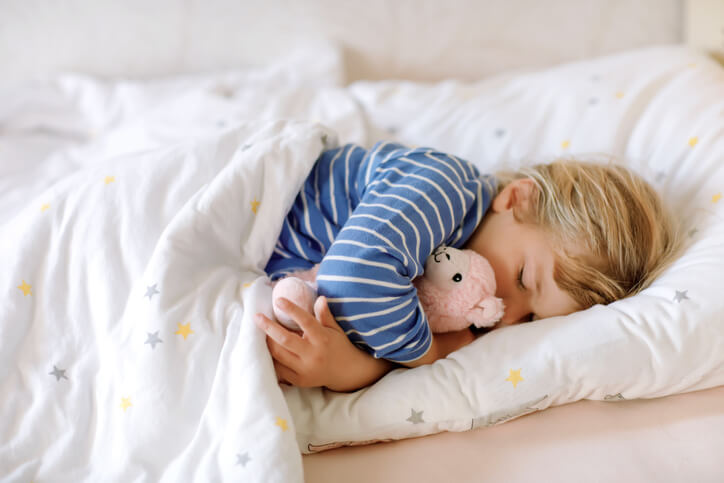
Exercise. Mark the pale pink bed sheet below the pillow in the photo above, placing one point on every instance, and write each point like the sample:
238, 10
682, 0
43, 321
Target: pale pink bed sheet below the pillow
673, 439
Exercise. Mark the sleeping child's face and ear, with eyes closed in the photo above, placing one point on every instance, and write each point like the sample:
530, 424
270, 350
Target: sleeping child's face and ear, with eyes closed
514, 249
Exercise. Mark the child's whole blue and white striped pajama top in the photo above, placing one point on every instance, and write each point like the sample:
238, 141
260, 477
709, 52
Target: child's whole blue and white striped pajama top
371, 219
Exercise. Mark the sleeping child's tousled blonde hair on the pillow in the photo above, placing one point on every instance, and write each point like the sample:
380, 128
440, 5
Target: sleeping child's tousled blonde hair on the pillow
627, 234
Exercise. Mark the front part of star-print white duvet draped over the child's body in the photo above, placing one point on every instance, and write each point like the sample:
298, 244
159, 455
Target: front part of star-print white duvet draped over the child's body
128, 352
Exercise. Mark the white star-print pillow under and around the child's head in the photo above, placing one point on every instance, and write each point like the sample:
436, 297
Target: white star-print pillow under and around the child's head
660, 111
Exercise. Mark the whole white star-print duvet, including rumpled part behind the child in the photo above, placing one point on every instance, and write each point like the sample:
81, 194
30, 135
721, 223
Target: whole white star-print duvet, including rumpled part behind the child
135, 222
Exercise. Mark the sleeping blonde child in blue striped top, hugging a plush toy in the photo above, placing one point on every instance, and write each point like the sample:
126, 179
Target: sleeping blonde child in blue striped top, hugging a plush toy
560, 237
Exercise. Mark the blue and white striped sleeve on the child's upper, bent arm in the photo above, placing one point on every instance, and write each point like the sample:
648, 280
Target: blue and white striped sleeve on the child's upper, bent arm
410, 202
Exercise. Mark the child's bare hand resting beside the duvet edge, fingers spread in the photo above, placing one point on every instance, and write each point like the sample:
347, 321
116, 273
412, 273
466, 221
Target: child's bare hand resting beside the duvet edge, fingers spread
321, 355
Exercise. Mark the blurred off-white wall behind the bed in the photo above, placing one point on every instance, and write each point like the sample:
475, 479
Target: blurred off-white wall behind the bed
416, 39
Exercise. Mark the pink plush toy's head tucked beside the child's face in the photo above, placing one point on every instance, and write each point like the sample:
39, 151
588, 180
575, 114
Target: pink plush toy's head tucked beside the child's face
457, 290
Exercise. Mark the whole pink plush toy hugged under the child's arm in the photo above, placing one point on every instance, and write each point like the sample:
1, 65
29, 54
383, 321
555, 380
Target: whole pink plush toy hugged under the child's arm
456, 290
